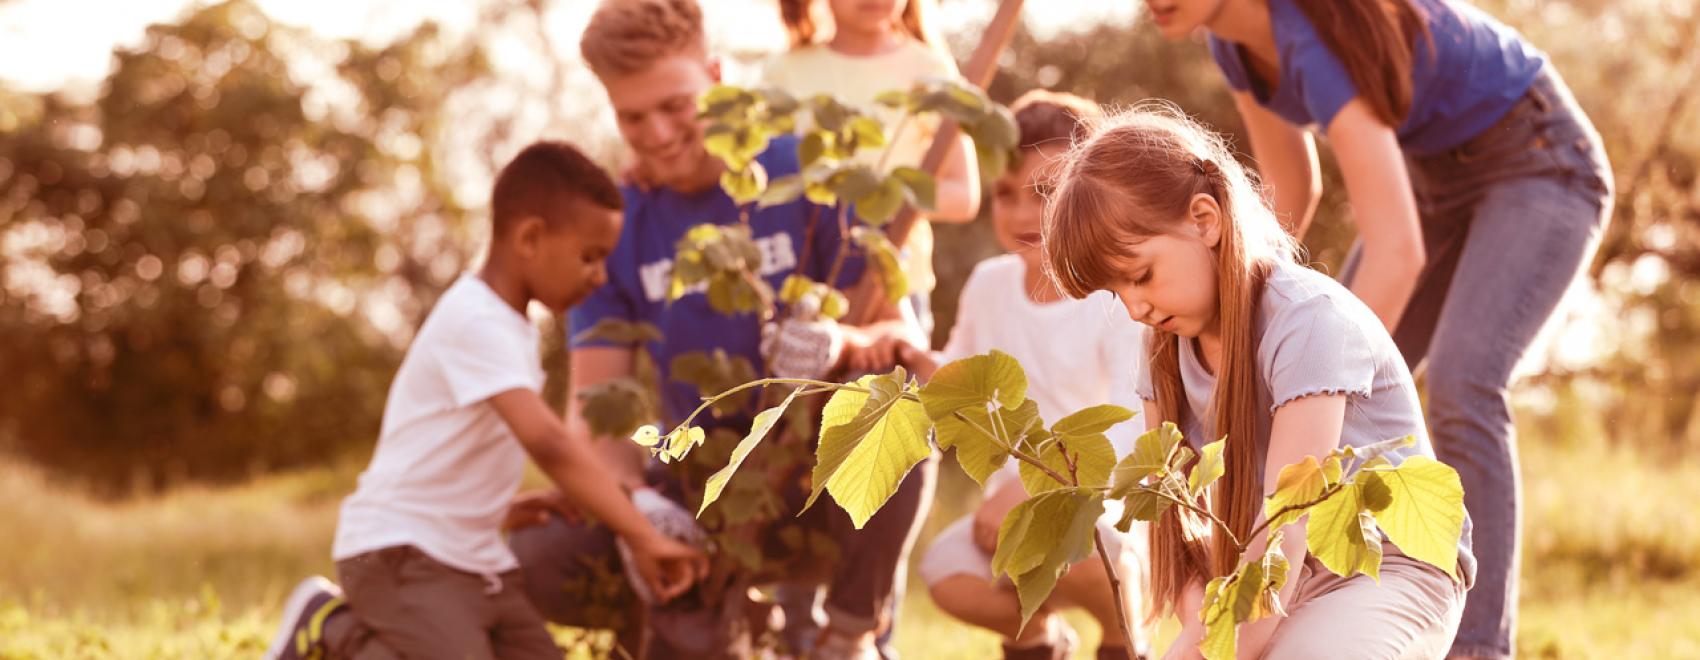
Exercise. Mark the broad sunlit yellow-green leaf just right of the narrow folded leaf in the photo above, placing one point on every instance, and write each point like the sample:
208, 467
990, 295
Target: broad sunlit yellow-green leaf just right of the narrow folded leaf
864, 455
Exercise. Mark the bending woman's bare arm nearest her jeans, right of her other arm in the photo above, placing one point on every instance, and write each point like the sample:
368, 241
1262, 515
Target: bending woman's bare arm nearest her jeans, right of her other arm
1383, 208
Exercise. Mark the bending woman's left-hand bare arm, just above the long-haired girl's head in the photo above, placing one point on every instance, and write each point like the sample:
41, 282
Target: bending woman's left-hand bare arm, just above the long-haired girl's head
1288, 164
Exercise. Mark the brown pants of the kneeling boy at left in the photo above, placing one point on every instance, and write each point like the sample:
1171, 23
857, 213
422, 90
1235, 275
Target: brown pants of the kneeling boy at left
409, 606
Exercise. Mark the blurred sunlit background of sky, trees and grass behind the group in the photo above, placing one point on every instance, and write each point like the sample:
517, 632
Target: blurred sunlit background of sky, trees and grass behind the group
220, 225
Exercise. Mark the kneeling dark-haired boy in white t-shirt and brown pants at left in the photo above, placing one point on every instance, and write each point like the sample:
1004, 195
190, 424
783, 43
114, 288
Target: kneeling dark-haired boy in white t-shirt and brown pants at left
419, 547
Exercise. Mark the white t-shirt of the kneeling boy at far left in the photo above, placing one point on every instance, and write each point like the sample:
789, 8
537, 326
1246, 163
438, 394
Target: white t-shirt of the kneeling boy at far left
446, 465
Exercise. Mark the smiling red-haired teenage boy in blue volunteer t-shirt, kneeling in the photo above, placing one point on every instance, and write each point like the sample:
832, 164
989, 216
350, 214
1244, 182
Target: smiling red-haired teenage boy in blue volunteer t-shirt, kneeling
652, 60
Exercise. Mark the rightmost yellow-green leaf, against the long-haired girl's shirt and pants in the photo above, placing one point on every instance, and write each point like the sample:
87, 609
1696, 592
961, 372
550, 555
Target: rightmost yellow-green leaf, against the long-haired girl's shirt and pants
1425, 511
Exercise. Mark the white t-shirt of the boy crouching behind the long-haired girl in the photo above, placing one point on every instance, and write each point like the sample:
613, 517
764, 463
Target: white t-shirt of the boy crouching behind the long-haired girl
1077, 353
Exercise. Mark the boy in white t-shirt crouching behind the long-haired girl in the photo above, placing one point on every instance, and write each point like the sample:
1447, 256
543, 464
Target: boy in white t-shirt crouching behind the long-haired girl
1077, 355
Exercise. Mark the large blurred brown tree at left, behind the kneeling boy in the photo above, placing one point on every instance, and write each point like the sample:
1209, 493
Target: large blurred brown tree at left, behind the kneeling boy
198, 266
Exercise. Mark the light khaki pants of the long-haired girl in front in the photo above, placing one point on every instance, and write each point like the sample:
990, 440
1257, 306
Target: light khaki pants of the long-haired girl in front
1414, 613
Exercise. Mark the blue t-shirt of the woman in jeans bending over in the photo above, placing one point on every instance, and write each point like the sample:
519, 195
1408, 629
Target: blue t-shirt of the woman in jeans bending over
1466, 77
